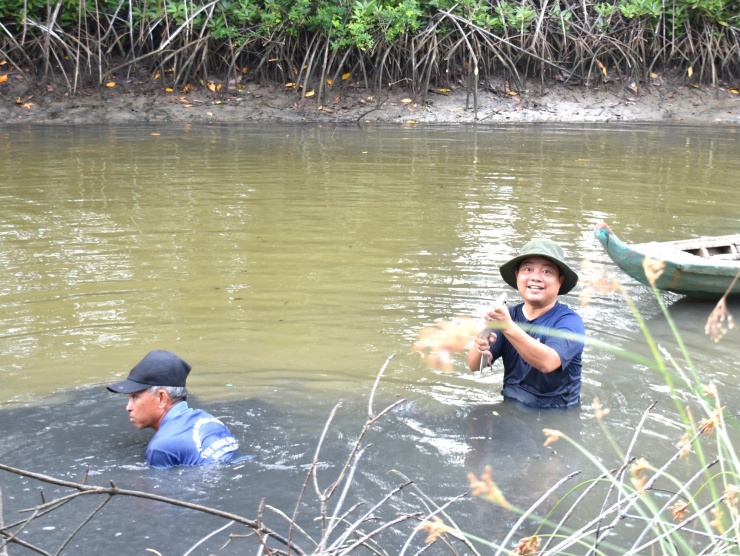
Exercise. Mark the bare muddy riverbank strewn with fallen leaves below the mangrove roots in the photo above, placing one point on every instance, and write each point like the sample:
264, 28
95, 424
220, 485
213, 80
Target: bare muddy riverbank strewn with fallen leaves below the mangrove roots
137, 100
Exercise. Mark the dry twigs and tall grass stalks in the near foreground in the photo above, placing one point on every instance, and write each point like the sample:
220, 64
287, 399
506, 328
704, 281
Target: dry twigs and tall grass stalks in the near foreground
685, 504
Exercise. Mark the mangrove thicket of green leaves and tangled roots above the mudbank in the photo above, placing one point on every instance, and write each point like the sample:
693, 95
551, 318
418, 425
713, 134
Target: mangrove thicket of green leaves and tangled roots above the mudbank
417, 43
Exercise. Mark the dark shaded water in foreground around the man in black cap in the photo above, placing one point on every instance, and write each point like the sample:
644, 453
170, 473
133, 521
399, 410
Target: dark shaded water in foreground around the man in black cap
85, 432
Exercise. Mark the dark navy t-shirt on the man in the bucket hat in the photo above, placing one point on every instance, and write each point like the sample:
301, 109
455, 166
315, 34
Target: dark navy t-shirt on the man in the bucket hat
560, 388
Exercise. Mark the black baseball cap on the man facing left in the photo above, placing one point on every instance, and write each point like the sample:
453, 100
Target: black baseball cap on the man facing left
158, 368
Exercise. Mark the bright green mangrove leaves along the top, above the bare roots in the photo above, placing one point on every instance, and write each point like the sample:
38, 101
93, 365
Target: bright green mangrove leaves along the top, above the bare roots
361, 23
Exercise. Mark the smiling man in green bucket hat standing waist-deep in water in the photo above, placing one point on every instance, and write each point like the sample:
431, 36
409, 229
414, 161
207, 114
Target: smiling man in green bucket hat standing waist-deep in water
539, 340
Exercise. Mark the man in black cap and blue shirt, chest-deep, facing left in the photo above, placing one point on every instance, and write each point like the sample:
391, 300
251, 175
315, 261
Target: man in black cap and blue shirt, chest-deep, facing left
156, 399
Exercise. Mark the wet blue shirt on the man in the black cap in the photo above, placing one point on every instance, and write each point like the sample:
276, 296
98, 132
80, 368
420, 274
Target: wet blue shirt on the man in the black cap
190, 437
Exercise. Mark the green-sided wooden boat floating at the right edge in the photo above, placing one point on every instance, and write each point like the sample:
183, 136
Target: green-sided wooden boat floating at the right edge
705, 267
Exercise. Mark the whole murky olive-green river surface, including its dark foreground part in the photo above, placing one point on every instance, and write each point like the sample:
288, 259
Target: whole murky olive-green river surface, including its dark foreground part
287, 264
